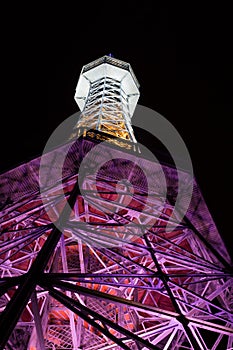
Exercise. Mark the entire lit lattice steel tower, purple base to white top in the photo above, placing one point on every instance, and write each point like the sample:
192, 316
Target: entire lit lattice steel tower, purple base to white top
88, 260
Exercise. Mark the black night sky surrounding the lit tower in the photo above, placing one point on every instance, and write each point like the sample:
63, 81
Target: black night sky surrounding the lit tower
180, 55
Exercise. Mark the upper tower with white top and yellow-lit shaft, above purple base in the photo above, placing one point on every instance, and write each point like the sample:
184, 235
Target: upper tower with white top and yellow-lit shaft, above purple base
107, 93
